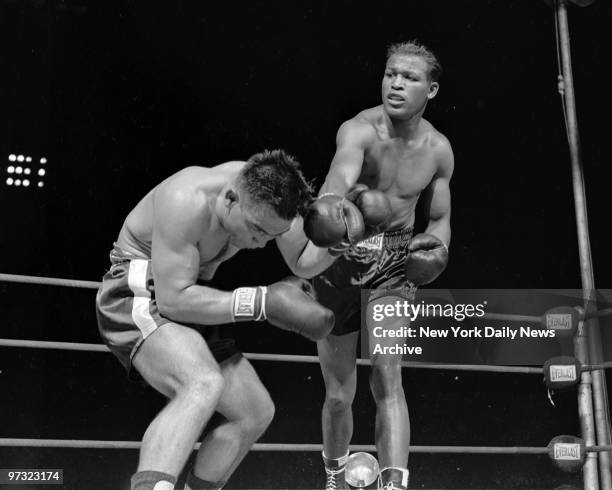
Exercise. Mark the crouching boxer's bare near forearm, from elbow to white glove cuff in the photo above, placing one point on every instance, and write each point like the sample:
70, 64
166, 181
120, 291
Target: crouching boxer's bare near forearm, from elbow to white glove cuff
200, 305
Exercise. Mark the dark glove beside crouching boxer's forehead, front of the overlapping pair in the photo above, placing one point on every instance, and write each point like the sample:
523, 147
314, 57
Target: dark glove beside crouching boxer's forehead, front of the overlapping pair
332, 219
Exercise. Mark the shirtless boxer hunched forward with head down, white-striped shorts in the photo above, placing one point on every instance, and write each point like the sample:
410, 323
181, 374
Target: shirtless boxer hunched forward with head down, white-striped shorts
160, 316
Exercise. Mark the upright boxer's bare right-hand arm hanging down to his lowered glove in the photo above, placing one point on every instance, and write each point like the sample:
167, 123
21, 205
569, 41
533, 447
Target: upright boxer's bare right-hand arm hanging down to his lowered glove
437, 198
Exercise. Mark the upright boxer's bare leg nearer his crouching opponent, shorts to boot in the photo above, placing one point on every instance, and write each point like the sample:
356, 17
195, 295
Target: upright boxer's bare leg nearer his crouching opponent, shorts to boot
337, 355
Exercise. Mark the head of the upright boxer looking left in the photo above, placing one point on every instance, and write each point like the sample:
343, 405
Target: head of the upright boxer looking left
410, 79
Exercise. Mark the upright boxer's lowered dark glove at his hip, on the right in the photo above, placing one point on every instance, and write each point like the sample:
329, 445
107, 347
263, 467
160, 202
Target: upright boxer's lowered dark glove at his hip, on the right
427, 258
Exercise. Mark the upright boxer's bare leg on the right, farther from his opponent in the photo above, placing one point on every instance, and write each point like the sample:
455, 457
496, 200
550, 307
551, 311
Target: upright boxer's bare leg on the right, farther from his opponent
392, 433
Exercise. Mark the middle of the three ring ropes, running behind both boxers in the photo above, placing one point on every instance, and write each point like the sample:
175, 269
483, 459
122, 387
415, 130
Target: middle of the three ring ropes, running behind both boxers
39, 344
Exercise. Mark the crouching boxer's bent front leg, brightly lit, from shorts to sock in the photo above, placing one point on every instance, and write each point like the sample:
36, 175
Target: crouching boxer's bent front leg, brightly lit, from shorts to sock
176, 361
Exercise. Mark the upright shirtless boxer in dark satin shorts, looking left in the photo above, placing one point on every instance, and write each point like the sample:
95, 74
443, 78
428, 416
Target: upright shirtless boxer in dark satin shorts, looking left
401, 158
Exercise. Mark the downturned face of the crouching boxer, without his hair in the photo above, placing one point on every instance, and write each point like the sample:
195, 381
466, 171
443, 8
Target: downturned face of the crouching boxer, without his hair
252, 225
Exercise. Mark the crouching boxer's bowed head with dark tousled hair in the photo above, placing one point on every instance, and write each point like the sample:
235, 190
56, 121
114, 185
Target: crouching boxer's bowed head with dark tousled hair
269, 193
